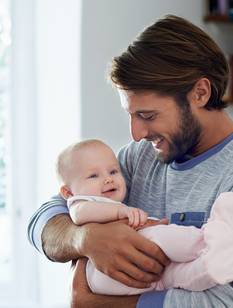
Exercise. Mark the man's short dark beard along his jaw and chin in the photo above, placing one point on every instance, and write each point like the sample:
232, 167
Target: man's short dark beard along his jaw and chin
185, 140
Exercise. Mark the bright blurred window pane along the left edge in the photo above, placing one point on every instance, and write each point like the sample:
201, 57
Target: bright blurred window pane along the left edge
5, 238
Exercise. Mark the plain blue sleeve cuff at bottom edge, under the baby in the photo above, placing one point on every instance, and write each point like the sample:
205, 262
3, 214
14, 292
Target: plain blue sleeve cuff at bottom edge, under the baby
152, 299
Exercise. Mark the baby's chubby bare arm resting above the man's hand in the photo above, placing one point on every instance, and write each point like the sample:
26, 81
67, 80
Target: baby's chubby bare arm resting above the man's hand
84, 211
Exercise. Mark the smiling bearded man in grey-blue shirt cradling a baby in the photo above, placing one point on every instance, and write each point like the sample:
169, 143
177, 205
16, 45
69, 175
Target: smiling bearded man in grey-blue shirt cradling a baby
171, 81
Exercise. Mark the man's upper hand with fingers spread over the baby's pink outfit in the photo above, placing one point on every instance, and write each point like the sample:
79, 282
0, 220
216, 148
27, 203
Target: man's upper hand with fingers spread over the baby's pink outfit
121, 253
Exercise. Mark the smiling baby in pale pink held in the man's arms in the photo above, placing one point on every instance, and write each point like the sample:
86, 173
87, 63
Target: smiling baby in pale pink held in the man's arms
94, 188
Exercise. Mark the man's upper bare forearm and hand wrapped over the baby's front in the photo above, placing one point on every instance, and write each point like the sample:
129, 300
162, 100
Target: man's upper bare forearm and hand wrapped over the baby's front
130, 258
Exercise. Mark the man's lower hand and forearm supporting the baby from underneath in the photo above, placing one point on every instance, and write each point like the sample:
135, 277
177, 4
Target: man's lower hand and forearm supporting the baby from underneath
82, 297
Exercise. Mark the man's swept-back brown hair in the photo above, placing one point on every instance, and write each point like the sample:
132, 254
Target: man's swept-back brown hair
169, 57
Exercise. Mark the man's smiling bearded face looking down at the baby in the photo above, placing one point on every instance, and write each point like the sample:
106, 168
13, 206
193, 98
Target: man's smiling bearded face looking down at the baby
172, 130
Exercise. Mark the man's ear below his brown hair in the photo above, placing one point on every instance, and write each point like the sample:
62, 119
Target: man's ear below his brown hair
200, 93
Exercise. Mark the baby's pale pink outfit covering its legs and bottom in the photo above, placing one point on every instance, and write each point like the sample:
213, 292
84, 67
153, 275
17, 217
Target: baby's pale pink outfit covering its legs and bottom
201, 258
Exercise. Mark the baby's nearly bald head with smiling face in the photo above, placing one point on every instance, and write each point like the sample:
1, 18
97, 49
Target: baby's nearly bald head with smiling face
90, 168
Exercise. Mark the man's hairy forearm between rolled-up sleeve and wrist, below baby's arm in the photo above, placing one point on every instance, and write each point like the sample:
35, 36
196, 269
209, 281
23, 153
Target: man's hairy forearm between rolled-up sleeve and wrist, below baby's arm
62, 239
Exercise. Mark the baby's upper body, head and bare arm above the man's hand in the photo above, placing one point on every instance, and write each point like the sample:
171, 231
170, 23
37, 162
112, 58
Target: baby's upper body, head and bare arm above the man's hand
91, 175
